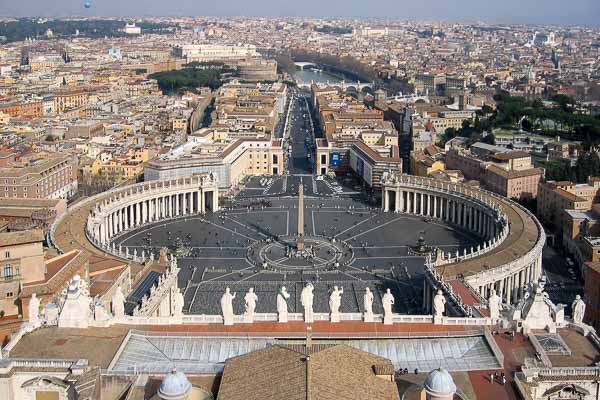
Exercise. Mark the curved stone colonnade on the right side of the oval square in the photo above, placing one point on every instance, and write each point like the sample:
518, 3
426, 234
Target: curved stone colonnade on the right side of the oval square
510, 255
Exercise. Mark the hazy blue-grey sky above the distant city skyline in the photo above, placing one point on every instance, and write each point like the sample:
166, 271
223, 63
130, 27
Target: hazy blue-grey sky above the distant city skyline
504, 11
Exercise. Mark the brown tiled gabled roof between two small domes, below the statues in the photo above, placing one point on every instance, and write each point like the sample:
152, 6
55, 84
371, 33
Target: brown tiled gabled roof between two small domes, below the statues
338, 372
